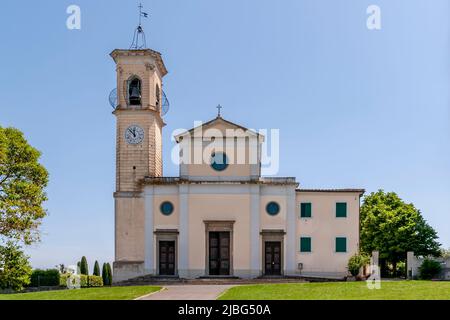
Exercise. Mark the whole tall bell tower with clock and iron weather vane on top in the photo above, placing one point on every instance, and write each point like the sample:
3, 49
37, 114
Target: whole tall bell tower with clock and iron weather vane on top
139, 104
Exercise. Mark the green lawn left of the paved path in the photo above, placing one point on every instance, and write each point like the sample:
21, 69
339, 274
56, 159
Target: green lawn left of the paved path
105, 293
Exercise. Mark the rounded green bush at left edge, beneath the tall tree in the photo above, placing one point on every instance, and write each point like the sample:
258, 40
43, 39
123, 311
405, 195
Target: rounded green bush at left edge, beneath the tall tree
15, 270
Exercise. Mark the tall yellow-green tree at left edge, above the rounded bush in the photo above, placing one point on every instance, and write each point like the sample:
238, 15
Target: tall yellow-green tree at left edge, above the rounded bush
22, 183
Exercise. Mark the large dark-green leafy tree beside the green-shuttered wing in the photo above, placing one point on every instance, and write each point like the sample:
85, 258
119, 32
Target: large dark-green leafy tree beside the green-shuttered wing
394, 227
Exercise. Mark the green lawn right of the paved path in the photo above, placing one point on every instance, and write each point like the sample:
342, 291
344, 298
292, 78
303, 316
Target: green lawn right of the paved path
390, 290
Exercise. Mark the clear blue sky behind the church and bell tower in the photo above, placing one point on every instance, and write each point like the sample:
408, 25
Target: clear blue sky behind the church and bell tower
355, 108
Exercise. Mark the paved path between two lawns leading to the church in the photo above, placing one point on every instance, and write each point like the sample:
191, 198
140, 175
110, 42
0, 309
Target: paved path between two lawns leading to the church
188, 292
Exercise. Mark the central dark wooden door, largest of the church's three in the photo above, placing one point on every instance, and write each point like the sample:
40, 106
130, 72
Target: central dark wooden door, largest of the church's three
219, 253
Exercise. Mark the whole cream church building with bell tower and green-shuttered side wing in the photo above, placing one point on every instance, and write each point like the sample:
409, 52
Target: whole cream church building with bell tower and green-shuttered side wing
219, 217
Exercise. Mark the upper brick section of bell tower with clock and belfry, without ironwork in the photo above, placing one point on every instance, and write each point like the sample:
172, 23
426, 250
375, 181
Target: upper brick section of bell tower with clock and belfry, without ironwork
139, 116
